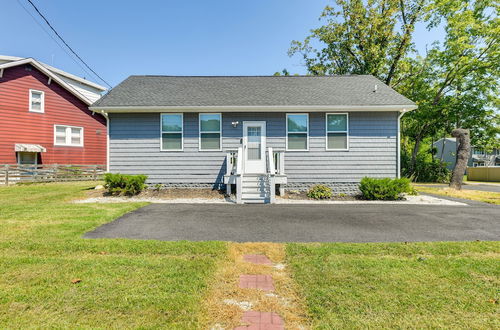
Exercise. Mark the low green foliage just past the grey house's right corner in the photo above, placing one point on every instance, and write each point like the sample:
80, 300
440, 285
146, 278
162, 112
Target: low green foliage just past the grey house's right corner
425, 169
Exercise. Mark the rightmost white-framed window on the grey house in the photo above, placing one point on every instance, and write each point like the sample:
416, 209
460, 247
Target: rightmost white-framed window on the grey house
337, 127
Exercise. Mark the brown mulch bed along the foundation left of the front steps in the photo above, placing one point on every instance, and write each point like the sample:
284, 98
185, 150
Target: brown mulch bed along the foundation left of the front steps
172, 193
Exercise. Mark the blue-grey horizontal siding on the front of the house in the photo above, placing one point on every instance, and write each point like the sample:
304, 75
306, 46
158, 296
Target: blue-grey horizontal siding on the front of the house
135, 148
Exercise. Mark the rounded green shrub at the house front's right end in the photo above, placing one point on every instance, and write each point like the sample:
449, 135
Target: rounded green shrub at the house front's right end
385, 189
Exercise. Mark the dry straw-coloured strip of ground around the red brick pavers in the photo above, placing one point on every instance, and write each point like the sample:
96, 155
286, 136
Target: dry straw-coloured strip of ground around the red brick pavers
225, 303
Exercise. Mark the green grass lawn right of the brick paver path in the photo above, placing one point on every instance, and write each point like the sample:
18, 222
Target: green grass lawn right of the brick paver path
397, 285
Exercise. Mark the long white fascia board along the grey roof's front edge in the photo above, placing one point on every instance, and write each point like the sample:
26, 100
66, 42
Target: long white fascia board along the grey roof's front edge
298, 108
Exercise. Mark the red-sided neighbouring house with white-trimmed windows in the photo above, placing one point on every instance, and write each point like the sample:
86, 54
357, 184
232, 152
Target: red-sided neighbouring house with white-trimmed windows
44, 115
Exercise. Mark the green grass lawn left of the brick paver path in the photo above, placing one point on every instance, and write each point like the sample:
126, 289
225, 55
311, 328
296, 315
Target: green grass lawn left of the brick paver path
124, 283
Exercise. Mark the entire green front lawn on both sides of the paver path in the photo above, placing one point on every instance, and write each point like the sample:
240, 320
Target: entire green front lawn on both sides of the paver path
153, 284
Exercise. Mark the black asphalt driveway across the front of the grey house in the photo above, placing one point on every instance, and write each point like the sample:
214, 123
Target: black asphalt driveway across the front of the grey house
306, 223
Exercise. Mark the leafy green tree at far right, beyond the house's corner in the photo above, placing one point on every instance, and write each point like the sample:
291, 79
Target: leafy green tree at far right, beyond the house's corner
457, 82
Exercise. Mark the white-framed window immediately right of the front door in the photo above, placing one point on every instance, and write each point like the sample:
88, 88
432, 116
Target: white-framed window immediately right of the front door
297, 129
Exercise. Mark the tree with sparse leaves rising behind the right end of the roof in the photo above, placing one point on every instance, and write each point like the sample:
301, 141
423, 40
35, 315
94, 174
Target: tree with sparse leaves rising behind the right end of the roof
362, 38
